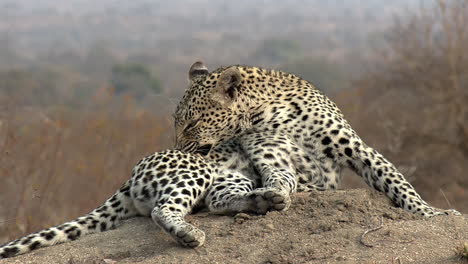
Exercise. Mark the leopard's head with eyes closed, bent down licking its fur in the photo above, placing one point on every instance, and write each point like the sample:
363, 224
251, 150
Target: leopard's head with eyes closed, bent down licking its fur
212, 108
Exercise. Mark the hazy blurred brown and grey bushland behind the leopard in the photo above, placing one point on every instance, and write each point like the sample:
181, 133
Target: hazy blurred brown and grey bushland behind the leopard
87, 87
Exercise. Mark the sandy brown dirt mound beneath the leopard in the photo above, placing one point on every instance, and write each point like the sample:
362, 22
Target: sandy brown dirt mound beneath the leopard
353, 226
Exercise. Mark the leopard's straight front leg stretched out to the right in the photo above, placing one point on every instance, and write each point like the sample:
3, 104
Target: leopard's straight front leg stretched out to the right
346, 148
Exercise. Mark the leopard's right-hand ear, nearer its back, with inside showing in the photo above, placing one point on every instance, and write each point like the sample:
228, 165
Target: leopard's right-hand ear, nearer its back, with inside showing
227, 86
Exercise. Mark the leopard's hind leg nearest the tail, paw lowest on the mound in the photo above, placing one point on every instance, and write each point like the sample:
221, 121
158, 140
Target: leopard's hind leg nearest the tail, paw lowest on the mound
176, 192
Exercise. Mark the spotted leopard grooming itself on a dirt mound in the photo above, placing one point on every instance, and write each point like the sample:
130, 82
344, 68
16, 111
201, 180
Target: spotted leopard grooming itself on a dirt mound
246, 139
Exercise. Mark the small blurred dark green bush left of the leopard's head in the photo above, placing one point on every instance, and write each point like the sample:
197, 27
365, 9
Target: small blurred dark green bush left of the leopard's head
134, 79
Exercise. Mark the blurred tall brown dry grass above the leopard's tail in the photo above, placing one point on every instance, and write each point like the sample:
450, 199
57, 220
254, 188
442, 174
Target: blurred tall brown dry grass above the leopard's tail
57, 164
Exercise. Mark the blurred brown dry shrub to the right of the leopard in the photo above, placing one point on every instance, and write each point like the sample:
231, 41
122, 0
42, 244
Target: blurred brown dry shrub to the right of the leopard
413, 105
